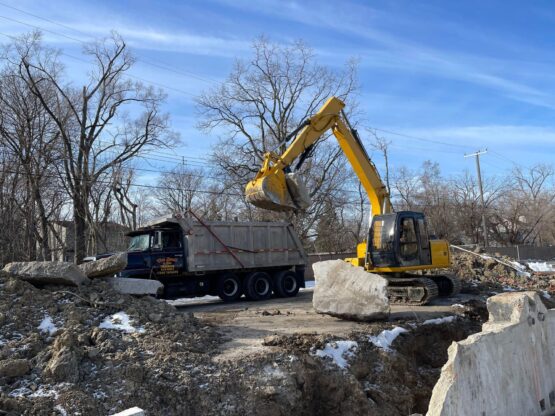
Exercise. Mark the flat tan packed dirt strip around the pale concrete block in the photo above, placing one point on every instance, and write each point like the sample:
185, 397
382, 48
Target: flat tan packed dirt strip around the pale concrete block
246, 324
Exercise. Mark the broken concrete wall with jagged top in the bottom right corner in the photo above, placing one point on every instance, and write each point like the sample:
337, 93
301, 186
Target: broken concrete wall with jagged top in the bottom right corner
507, 369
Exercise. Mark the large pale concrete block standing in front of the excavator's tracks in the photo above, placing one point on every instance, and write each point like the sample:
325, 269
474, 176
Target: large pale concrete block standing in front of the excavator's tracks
349, 292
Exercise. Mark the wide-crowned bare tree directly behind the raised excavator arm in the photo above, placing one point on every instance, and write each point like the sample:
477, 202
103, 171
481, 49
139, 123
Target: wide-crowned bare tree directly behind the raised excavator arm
262, 102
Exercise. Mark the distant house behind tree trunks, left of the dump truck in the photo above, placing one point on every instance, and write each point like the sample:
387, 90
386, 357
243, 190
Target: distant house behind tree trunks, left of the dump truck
110, 237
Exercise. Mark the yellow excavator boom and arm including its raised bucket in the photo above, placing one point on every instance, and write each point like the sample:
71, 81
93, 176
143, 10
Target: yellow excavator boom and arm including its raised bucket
277, 189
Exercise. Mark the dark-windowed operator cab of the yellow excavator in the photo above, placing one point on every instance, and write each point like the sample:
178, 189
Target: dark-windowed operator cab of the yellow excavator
399, 240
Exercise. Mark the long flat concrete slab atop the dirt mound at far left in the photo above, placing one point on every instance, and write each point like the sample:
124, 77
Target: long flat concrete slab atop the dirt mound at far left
47, 272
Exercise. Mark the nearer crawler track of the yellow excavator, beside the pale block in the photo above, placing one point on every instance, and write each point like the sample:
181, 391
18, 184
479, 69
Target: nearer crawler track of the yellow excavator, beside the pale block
411, 290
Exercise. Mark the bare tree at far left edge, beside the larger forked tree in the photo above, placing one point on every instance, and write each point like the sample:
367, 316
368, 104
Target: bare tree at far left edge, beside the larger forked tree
29, 133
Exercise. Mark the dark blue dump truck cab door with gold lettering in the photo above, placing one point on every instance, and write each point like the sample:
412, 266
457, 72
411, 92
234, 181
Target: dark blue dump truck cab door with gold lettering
167, 254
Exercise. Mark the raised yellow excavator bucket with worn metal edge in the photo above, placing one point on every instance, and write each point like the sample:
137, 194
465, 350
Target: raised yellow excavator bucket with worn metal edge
277, 191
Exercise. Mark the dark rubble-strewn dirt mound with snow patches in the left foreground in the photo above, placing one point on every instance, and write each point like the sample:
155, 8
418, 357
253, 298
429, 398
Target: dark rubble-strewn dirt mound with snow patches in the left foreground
94, 351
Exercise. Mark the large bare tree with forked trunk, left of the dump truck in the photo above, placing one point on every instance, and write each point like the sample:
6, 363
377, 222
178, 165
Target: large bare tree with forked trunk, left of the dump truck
95, 130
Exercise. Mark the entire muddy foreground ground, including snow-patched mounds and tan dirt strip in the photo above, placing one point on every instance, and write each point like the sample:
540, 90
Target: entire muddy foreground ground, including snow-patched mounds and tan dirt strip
91, 351
